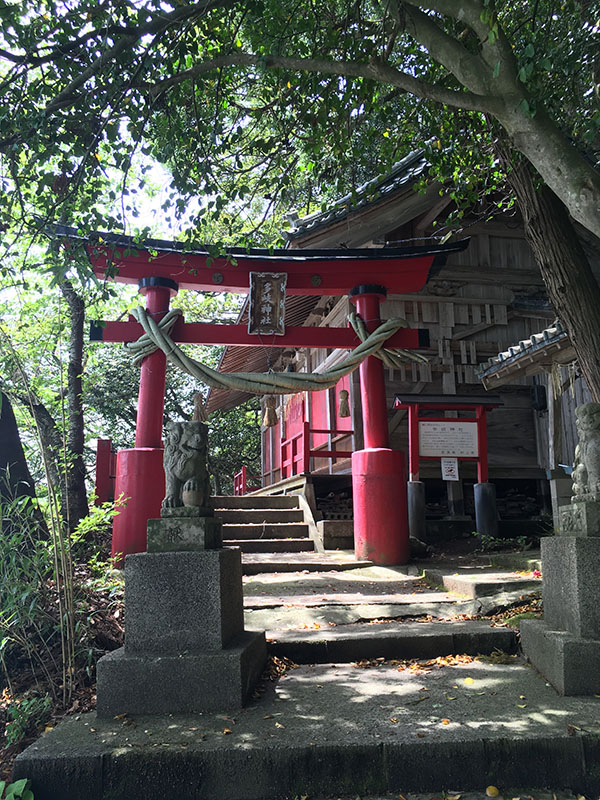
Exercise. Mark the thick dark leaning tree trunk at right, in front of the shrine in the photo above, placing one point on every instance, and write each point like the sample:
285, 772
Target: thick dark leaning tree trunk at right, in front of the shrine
571, 285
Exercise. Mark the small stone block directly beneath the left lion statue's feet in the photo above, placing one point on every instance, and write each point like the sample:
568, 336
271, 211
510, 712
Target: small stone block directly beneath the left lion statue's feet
184, 534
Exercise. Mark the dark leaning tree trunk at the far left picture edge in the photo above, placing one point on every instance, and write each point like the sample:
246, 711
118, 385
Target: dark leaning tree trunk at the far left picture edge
15, 478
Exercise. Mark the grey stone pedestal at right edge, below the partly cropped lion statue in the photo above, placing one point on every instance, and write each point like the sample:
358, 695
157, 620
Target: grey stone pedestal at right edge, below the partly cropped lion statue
565, 645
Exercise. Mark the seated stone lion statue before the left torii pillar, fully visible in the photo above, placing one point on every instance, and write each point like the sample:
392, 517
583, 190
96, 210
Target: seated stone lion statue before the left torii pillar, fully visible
185, 462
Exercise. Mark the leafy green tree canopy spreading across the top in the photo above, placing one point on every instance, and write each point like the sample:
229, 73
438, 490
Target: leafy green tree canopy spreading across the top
278, 102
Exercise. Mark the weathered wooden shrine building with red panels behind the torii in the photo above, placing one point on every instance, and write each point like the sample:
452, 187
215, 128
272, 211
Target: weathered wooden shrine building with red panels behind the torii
481, 301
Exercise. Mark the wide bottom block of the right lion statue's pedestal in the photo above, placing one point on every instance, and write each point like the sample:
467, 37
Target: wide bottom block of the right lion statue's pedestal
571, 664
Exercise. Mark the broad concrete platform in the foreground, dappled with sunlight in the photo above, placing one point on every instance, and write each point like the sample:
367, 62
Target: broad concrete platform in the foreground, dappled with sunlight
334, 730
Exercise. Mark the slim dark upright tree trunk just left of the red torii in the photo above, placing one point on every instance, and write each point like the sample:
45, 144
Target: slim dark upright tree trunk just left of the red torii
76, 492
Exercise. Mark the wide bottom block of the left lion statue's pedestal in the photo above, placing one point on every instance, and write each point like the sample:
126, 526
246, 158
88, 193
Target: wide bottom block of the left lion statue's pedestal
148, 684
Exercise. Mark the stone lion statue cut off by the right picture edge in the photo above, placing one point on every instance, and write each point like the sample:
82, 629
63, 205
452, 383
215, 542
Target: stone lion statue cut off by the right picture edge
586, 467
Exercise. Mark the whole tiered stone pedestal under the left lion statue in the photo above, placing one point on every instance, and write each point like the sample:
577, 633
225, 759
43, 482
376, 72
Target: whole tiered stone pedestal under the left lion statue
186, 649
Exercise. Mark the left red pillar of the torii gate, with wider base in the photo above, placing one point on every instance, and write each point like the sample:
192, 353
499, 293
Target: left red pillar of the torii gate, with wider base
140, 478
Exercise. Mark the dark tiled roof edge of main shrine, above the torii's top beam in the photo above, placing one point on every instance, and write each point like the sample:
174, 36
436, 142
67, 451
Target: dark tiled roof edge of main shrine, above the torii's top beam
403, 173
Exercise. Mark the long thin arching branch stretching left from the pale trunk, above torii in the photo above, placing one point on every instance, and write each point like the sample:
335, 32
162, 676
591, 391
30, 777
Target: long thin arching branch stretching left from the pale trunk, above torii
375, 70
